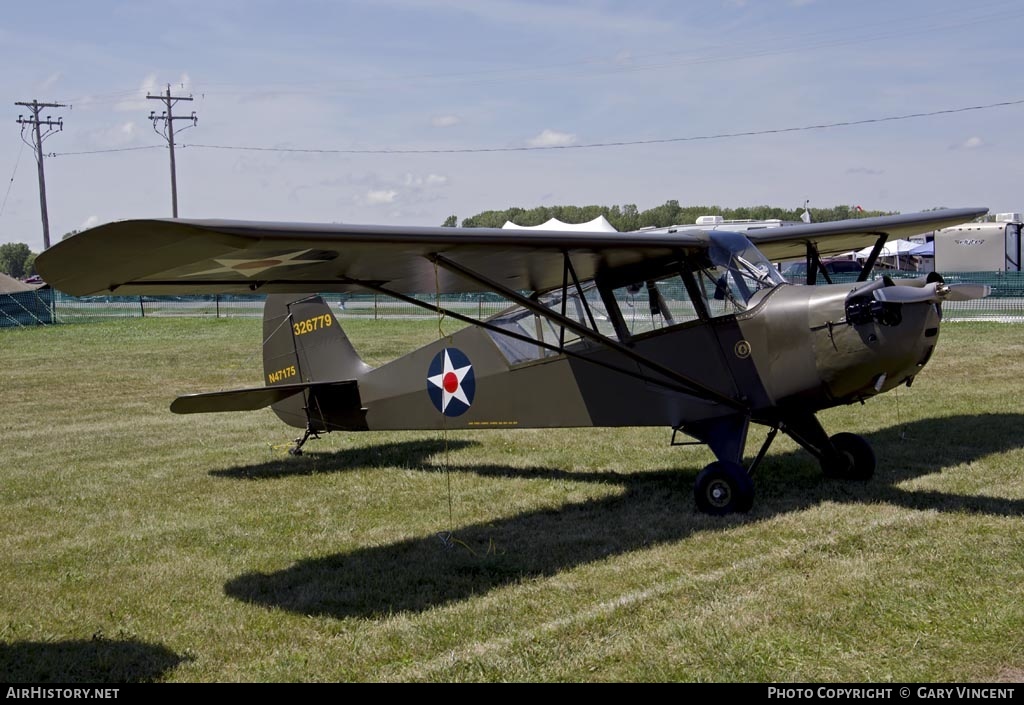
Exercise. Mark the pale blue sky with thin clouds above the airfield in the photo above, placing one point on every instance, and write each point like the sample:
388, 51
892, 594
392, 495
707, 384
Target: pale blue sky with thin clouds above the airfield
407, 112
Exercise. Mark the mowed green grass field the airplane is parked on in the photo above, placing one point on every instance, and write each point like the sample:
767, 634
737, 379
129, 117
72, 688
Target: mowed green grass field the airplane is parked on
143, 546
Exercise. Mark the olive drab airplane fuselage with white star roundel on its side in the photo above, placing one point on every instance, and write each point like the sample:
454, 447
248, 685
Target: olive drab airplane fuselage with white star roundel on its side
796, 347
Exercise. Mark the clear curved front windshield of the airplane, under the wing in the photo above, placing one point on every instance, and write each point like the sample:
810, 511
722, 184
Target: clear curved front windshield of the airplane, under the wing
739, 272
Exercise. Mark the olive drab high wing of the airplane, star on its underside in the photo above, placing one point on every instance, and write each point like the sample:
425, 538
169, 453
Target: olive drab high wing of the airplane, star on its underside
180, 257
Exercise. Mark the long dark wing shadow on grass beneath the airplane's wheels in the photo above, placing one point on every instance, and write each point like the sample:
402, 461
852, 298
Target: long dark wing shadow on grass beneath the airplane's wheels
656, 508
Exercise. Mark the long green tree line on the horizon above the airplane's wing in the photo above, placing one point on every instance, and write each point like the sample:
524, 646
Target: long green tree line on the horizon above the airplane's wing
629, 218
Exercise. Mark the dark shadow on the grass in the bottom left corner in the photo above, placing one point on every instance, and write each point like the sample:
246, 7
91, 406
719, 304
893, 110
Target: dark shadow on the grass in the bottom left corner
86, 661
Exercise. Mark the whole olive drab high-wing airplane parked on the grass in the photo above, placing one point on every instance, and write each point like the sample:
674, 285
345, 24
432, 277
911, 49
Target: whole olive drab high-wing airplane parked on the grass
693, 330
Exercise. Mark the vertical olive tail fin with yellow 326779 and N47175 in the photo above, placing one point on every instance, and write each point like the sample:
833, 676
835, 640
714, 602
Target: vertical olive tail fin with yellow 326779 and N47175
305, 344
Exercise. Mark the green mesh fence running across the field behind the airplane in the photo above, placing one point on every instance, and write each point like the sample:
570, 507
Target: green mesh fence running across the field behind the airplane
49, 307
